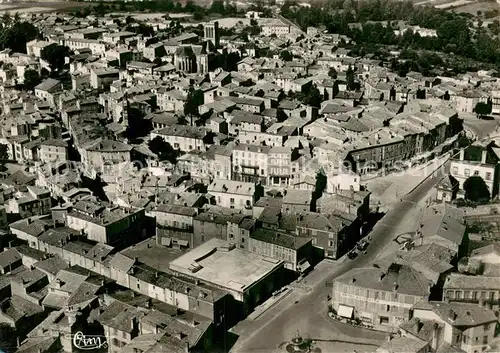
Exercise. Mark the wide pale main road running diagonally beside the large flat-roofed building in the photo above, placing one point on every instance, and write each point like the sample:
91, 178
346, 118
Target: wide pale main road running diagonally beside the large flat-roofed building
305, 311
